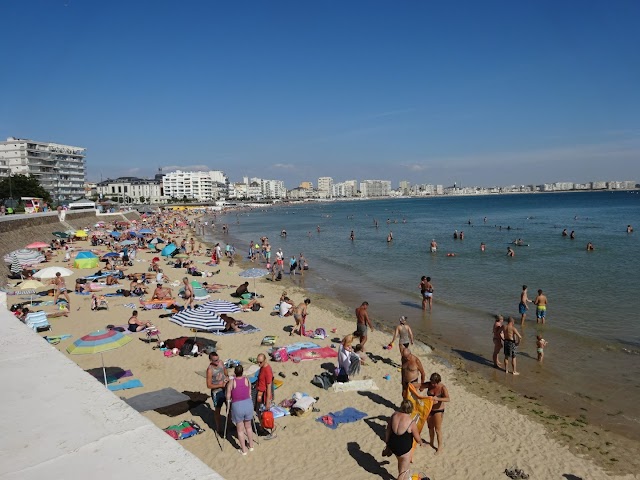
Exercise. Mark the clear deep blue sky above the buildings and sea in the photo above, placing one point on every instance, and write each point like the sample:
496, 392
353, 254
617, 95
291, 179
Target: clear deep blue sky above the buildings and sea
491, 92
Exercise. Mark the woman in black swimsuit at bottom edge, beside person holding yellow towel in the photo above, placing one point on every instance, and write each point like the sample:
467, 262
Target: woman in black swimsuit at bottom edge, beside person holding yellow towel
401, 432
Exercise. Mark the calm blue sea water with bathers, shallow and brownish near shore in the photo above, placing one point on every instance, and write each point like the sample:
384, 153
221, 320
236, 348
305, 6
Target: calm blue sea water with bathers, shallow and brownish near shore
592, 326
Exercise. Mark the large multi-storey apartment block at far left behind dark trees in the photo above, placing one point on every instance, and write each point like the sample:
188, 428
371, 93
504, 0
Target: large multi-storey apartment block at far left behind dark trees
60, 169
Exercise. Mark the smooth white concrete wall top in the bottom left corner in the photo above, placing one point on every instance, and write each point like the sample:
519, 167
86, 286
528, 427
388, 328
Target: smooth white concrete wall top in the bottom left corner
59, 422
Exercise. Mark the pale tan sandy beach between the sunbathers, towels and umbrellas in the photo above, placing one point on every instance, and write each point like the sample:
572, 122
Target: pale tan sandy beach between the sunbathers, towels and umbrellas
485, 431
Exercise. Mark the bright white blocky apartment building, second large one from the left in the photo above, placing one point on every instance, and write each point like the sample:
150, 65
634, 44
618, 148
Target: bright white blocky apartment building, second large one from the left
201, 186
